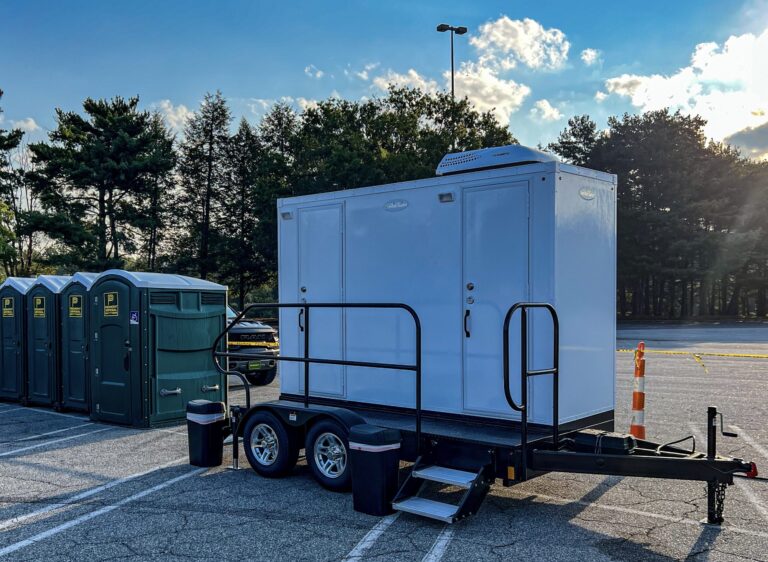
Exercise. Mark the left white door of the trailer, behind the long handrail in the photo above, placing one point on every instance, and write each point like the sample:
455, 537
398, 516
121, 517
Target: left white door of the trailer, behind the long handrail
321, 280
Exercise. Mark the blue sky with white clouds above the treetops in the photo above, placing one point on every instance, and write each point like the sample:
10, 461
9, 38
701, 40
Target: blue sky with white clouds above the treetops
535, 64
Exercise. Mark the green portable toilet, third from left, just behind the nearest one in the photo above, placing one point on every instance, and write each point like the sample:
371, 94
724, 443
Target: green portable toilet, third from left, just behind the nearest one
75, 374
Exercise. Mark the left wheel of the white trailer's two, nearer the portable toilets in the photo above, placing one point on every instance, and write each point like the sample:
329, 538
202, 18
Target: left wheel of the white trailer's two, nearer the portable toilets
271, 449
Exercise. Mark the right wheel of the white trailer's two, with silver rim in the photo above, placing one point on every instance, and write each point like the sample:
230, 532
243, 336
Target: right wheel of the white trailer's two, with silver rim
327, 451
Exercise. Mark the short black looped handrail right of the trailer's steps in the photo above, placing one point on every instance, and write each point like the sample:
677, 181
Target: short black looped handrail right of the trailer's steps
525, 373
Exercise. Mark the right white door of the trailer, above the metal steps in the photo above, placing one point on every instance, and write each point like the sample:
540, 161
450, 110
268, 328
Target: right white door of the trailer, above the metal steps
495, 264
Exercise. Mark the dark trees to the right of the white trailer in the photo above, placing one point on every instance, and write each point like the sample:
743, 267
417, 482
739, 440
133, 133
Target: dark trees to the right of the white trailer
689, 212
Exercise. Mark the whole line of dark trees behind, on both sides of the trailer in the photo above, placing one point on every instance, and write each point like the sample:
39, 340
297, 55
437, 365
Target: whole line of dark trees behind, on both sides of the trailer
113, 186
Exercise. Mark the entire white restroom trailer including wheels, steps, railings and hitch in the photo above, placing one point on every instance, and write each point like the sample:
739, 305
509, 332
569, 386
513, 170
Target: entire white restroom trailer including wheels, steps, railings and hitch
413, 315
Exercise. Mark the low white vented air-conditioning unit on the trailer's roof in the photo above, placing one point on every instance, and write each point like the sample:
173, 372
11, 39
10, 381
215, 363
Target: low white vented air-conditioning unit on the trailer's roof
487, 158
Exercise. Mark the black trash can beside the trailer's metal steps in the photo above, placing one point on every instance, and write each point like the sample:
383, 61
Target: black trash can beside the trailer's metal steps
375, 460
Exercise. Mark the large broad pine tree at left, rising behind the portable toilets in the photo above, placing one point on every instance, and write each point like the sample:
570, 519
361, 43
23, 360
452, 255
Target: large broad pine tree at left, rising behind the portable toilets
93, 179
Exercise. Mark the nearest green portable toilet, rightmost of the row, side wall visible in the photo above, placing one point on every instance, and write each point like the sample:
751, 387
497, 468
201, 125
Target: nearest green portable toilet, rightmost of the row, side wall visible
150, 346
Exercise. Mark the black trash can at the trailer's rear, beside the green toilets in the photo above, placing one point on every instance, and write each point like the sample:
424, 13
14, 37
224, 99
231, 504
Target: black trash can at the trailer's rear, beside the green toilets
206, 421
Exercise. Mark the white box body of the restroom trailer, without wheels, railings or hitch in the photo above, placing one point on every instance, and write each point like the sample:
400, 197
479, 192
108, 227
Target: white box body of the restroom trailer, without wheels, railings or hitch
460, 249
